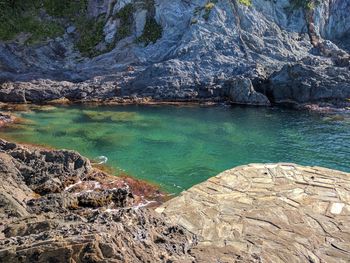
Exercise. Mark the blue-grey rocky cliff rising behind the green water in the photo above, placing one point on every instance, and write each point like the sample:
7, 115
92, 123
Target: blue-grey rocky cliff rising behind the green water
244, 51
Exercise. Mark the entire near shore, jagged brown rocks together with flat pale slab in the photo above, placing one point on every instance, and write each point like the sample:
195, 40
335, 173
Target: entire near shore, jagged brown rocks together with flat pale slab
56, 207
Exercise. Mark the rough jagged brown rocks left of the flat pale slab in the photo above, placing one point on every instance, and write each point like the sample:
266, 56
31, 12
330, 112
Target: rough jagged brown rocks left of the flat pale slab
81, 214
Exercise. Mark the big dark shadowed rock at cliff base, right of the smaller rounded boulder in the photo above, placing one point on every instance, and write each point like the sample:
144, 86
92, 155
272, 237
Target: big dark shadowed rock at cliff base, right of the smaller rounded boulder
301, 83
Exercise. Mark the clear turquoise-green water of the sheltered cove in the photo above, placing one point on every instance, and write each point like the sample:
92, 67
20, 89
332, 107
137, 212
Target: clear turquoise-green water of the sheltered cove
177, 147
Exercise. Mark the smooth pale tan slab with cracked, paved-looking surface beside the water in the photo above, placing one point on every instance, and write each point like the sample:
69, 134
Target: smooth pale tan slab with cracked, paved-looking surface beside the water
268, 213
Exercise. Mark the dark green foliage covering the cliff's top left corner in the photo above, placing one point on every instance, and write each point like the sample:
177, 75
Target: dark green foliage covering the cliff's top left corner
18, 16
